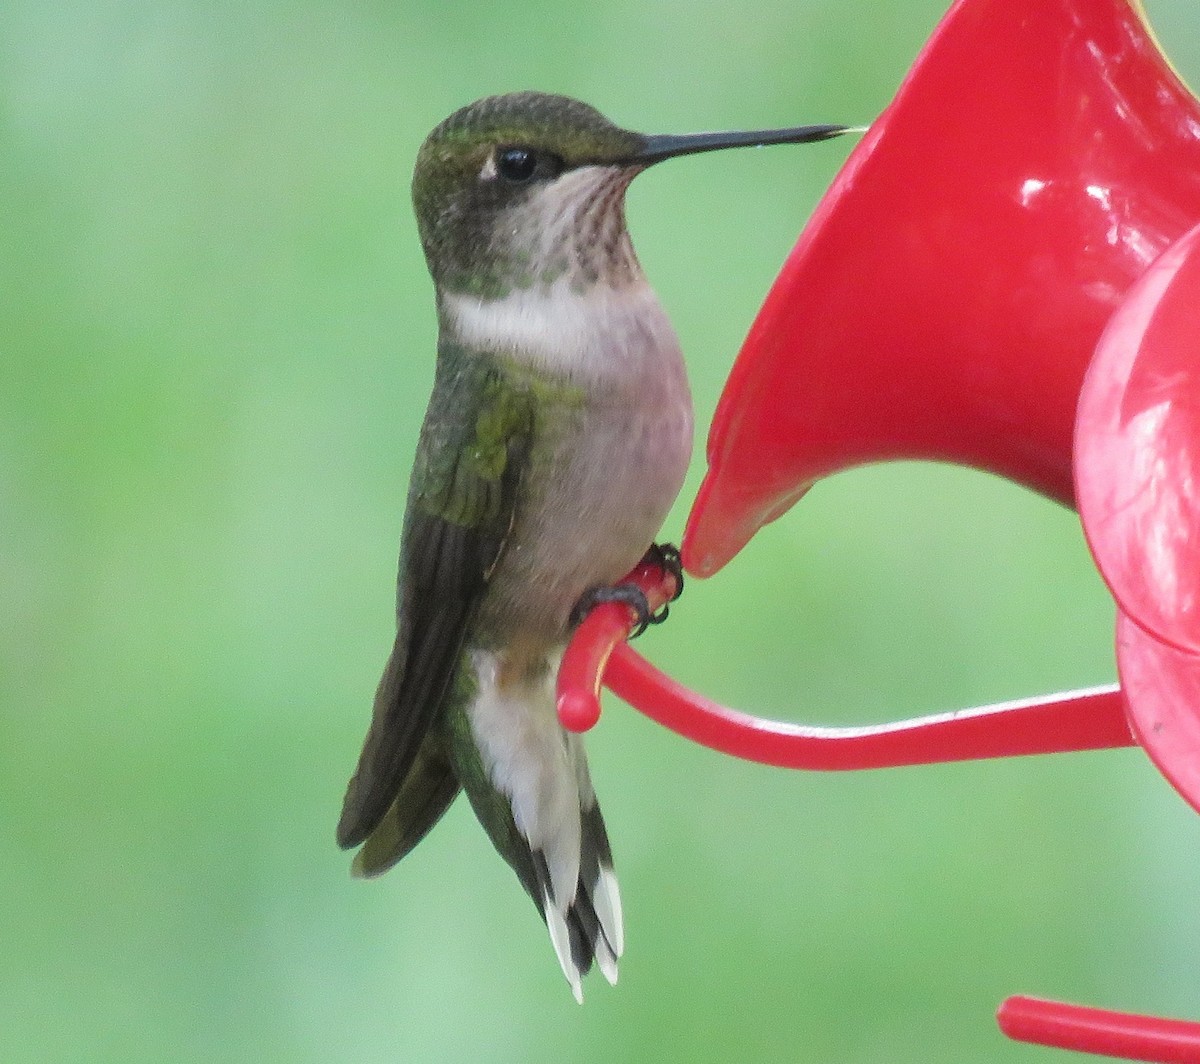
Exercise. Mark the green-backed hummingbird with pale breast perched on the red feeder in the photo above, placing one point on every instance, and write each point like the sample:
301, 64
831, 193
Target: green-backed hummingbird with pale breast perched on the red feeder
556, 441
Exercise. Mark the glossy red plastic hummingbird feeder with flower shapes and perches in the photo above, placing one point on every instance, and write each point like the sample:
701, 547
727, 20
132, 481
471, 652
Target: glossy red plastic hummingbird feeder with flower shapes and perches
1005, 275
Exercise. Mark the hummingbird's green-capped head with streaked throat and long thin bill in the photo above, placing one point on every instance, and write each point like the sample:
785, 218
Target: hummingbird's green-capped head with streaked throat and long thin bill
527, 190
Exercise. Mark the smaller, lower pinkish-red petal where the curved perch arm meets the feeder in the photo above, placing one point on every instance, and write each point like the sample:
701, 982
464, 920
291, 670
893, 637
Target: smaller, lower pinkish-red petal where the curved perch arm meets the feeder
1162, 689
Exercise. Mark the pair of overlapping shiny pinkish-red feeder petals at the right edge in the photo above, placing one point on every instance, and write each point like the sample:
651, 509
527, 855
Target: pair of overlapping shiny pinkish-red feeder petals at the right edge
1137, 465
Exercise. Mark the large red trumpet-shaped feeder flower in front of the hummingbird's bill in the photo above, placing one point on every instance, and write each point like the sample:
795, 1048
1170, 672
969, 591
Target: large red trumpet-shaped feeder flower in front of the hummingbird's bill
947, 294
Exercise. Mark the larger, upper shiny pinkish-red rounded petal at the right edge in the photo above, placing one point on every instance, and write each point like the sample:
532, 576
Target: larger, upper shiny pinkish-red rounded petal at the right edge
1138, 449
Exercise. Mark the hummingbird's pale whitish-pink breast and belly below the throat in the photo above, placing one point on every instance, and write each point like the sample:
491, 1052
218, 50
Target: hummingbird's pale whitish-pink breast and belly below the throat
605, 467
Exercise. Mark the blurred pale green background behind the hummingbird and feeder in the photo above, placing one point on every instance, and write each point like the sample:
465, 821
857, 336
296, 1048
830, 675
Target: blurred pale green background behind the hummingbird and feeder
217, 341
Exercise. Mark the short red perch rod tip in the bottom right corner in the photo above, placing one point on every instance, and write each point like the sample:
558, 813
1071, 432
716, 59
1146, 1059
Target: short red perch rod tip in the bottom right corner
1100, 1031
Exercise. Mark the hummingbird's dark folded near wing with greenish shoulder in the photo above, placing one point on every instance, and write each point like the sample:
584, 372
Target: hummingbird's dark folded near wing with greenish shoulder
473, 449
